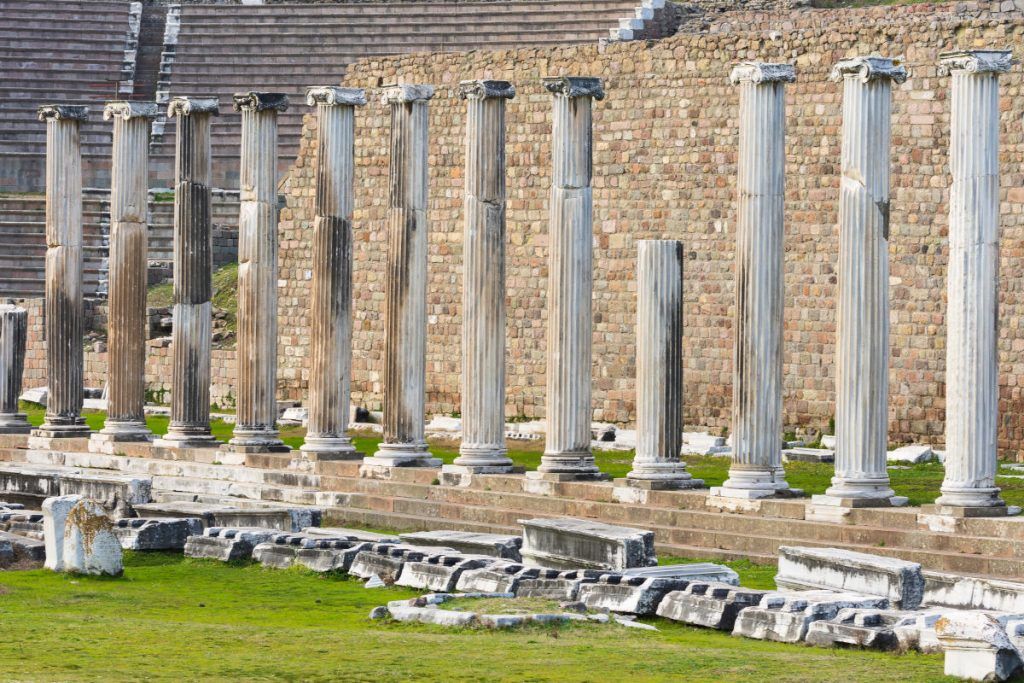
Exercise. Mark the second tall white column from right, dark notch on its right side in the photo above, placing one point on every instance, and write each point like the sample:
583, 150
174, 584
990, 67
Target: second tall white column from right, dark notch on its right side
863, 345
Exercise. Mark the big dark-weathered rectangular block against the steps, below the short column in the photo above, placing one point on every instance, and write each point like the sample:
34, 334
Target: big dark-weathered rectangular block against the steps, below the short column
567, 543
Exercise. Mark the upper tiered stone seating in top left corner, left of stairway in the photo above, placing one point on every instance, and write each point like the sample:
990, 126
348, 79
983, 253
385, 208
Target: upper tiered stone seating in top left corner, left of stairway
70, 52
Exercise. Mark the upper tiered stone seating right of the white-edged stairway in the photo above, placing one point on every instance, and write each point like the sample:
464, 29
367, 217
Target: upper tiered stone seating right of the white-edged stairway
286, 48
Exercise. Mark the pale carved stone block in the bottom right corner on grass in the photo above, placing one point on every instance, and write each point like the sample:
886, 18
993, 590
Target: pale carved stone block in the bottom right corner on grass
977, 649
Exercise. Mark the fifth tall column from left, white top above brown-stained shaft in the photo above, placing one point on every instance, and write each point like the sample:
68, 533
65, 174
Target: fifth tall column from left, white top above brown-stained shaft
331, 325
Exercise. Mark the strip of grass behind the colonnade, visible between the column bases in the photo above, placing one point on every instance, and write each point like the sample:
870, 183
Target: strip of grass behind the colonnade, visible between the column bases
919, 483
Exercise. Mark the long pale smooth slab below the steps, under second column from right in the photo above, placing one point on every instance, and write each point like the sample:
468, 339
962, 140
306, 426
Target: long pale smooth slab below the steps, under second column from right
835, 569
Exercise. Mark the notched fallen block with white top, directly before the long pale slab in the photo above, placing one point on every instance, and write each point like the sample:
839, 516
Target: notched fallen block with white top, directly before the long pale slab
786, 617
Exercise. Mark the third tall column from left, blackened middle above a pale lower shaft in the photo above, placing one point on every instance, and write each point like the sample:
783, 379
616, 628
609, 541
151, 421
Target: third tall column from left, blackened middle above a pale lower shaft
191, 337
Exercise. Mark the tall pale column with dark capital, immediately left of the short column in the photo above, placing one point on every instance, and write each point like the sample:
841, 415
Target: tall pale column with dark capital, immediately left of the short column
568, 455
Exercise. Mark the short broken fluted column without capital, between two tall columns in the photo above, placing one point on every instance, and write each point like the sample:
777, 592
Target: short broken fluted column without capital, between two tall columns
660, 368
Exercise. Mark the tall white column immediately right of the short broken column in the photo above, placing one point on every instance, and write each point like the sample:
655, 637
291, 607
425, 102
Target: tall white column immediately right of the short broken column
757, 361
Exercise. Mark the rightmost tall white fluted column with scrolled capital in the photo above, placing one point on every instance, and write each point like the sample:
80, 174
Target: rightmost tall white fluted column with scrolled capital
972, 310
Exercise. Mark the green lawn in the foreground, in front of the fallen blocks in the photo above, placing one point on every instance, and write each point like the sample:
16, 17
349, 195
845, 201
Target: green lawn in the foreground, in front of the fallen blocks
176, 619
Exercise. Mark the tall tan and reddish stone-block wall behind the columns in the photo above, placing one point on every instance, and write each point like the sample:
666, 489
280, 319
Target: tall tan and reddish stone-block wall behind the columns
665, 163
